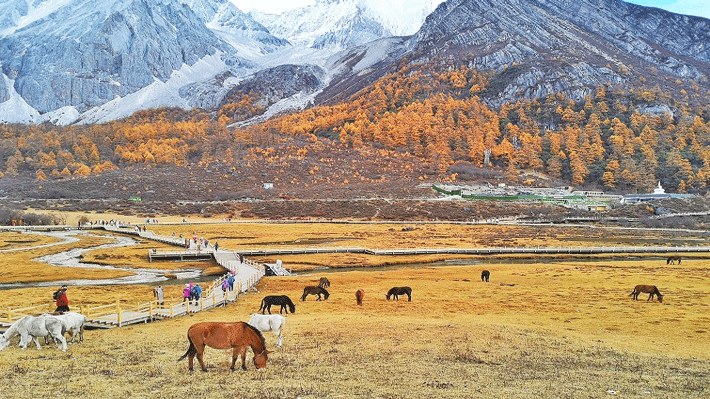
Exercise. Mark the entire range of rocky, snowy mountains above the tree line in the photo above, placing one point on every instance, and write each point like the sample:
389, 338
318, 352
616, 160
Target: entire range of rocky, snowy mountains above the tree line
73, 60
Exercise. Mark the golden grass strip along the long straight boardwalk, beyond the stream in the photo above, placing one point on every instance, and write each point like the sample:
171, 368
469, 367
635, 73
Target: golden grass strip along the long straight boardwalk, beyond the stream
246, 236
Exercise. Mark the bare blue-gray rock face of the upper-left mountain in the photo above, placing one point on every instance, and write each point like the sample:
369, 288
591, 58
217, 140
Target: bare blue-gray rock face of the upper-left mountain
91, 61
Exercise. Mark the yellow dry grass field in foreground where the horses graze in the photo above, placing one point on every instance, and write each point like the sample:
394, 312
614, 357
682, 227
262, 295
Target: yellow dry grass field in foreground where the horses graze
565, 329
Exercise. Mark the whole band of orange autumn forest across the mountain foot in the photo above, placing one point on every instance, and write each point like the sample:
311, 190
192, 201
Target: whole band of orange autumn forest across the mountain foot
616, 139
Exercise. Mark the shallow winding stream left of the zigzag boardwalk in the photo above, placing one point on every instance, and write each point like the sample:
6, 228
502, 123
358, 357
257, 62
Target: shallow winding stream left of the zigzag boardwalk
72, 258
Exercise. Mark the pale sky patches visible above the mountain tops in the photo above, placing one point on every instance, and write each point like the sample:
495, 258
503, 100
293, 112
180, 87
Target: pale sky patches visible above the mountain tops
690, 7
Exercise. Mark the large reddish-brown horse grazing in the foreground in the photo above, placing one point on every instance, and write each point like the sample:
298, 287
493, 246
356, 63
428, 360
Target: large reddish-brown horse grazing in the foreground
220, 335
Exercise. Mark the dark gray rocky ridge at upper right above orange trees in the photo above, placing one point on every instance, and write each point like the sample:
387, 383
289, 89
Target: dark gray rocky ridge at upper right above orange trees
563, 46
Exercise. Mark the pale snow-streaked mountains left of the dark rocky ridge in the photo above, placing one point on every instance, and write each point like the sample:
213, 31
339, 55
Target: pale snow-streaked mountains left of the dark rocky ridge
69, 60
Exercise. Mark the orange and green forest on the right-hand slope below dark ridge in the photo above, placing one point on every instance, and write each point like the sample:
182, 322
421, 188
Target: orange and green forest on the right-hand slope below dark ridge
619, 139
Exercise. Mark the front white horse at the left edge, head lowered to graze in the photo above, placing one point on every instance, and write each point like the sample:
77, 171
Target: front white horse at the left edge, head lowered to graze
30, 328
